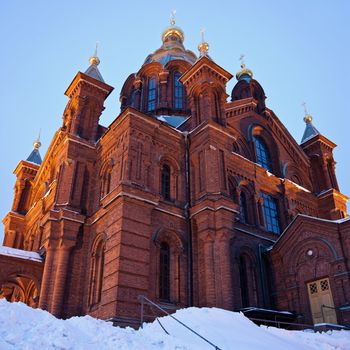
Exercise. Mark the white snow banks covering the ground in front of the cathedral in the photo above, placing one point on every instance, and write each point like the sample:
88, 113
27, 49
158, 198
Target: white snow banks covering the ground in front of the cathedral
24, 328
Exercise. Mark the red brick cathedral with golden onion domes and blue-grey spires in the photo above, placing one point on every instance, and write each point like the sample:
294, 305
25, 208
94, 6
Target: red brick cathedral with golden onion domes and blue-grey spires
191, 197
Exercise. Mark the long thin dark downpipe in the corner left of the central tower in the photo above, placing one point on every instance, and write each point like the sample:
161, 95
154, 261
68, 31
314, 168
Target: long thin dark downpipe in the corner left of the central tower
188, 220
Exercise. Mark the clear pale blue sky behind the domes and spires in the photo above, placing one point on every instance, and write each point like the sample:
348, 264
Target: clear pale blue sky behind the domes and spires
298, 50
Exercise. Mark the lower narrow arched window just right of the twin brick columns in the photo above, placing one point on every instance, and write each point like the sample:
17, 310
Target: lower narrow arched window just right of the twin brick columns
96, 279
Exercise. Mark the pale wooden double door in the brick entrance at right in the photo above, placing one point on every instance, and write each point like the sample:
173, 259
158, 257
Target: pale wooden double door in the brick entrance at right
321, 301
